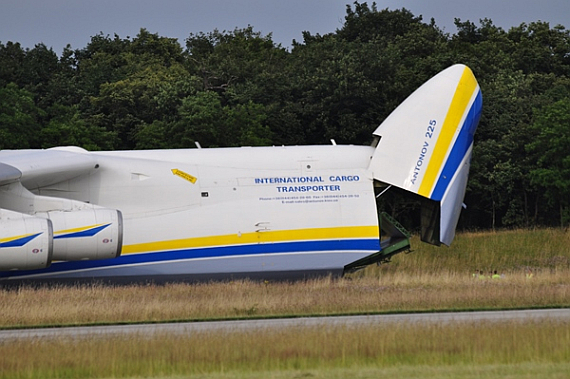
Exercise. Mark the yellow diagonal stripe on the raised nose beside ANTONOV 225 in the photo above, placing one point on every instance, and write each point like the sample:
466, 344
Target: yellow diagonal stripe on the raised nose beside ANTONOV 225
465, 88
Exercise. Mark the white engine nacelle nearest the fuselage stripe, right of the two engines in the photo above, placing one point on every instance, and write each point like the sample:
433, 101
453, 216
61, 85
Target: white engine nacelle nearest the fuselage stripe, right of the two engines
87, 234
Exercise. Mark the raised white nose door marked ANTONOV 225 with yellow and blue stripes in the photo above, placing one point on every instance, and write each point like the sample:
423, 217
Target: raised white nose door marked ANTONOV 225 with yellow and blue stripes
425, 147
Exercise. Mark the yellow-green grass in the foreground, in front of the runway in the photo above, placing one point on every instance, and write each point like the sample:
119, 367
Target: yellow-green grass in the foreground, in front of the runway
495, 349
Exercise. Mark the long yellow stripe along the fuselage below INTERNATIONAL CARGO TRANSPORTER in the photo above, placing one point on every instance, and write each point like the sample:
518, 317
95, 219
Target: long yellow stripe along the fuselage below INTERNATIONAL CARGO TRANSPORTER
257, 237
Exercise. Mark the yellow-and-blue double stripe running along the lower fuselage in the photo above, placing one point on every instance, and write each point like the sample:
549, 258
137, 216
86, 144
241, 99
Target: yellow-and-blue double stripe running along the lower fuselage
315, 240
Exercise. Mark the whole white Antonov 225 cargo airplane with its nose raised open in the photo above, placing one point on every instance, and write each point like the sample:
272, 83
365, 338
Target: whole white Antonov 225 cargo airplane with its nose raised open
275, 212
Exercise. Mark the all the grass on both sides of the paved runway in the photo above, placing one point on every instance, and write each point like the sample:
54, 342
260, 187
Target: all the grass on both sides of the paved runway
428, 279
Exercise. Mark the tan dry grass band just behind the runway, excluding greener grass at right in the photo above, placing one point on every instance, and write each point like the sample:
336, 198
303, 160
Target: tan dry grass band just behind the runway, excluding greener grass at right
390, 292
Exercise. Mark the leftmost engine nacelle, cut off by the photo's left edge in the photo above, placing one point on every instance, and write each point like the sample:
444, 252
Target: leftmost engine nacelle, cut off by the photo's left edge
25, 241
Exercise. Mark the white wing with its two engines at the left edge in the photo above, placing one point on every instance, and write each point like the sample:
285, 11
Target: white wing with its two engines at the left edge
35, 230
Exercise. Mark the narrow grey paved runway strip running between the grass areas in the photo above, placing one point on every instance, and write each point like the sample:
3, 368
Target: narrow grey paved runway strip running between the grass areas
243, 325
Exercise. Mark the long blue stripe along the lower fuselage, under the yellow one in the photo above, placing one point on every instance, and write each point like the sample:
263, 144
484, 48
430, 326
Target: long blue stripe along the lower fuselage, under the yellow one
372, 245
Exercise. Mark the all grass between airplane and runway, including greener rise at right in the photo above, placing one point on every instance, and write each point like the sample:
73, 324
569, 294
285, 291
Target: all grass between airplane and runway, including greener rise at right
428, 279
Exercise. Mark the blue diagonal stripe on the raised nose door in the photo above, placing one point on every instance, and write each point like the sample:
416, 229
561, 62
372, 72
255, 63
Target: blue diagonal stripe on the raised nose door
460, 148
